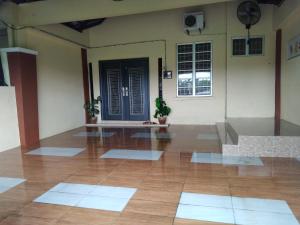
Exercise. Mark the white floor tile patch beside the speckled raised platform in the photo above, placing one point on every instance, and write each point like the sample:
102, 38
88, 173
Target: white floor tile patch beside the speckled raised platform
214, 158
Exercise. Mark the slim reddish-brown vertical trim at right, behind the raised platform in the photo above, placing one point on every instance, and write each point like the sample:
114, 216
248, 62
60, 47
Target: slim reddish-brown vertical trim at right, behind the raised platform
278, 81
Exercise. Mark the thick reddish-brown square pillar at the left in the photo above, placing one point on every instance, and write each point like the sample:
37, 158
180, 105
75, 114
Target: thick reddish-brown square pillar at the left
23, 75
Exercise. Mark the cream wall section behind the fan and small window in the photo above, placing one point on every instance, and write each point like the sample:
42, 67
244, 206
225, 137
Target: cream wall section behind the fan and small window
251, 79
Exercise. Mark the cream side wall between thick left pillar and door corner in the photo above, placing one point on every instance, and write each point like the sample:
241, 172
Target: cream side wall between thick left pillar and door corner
60, 83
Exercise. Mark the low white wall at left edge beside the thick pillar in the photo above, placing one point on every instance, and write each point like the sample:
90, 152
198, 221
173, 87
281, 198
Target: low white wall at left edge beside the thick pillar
9, 128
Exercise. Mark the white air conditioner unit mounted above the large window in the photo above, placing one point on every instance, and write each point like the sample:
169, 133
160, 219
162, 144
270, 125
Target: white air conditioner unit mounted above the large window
193, 23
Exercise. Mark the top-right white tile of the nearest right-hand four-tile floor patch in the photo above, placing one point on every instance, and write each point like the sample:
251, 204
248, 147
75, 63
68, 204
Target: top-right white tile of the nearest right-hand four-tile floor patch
262, 205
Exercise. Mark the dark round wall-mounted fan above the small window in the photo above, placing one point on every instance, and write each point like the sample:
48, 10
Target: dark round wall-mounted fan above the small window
248, 12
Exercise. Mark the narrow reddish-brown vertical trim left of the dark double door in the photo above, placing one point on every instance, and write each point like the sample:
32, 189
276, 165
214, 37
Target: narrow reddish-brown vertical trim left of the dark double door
85, 78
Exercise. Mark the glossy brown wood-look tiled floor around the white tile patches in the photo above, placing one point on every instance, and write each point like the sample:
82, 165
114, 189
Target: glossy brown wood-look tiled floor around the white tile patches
159, 183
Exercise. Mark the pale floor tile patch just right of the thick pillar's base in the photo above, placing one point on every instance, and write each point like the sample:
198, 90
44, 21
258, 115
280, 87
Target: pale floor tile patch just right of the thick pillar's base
53, 151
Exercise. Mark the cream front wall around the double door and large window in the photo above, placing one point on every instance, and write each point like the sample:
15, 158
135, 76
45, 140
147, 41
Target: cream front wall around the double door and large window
167, 26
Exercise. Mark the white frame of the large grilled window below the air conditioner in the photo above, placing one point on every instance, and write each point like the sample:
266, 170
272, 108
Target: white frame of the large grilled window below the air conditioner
194, 70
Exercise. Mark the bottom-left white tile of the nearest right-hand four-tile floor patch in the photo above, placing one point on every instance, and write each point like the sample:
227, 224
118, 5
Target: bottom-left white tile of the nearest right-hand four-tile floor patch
204, 213
